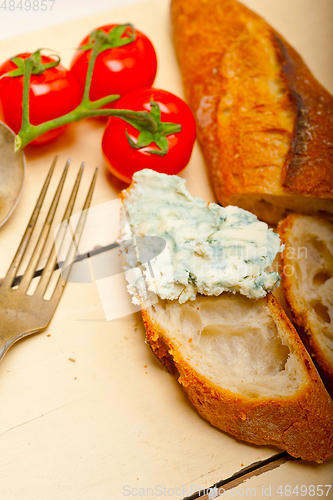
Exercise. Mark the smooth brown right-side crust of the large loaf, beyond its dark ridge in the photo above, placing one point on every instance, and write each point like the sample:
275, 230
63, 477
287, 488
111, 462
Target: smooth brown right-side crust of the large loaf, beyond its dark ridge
309, 170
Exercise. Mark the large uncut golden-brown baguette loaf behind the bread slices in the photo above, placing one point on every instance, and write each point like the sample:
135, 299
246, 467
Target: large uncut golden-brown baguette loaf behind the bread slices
264, 123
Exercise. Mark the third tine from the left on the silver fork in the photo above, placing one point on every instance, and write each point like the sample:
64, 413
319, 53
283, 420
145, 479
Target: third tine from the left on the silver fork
52, 260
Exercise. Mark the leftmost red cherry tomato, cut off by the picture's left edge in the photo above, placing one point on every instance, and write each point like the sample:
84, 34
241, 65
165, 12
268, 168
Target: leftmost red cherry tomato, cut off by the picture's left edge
52, 94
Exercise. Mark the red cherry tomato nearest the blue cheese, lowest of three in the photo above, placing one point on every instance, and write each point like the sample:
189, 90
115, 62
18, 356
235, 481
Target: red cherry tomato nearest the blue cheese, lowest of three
124, 160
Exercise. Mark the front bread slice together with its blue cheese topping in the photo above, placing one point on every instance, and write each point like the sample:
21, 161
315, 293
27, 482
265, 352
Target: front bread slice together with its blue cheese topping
239, 359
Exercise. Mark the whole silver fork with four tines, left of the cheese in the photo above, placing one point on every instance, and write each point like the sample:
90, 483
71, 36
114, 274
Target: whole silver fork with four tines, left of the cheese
22, 314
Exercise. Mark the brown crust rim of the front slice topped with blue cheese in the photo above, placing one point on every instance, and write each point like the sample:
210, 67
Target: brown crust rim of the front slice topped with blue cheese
301, 423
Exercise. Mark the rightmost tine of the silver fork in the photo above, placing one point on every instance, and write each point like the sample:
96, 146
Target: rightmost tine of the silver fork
74, 246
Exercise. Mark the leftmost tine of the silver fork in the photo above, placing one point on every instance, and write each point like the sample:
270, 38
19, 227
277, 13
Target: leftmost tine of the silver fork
11, 273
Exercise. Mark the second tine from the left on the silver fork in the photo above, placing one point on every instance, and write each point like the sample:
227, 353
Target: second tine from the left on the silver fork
30, 271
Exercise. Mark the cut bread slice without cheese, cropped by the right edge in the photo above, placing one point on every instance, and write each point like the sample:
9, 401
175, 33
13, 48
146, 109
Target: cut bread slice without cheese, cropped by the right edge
300, 298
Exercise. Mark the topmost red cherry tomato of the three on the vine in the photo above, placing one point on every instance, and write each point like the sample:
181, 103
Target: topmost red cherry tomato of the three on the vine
118, 70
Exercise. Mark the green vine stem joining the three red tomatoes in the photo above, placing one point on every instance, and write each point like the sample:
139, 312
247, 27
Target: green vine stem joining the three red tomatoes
148, 123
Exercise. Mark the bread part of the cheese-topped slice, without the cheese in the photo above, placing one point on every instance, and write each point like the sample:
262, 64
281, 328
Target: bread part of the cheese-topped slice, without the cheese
245, 370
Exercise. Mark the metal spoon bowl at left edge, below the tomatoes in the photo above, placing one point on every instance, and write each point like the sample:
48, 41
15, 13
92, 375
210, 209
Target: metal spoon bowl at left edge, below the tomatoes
12, 170
